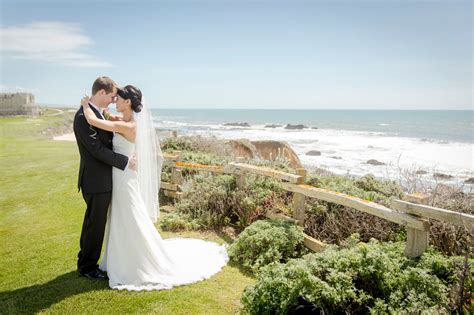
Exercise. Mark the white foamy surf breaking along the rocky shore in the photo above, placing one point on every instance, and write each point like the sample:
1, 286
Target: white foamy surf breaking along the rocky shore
347, 152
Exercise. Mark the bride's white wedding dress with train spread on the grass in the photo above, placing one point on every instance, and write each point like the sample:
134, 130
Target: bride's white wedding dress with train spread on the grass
136, 257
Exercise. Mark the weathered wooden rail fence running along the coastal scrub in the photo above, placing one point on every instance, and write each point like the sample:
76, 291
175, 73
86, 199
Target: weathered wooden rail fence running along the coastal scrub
412, 213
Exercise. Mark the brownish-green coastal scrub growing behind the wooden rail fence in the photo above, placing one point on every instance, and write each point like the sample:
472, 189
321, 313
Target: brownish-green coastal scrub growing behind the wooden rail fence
217, 201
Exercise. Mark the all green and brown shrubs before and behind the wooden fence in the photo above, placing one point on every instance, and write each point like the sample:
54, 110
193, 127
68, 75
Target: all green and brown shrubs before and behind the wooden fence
377, 276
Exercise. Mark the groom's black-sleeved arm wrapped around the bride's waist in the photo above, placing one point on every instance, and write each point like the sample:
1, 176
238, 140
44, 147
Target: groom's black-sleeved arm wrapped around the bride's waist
87, 136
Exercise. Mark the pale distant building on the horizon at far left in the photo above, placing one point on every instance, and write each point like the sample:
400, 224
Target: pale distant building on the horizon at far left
18, 104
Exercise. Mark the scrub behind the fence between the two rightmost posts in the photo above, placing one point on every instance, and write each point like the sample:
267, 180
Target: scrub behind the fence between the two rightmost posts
333, 223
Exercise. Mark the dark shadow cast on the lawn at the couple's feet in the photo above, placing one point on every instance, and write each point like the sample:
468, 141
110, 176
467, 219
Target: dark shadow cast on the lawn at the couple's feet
41, 296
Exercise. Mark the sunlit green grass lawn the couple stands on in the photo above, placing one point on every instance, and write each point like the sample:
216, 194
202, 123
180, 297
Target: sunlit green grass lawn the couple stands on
41, 216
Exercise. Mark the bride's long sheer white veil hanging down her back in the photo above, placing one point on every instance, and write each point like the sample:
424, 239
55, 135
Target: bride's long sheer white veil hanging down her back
149, 160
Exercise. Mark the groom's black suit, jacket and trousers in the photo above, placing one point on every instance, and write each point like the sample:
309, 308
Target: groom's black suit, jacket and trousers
95, 180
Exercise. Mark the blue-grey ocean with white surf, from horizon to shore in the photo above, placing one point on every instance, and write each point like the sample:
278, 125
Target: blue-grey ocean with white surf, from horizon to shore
433, 141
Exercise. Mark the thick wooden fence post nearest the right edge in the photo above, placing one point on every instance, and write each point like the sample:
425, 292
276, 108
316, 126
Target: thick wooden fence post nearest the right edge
417, 241
